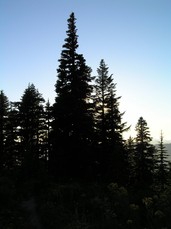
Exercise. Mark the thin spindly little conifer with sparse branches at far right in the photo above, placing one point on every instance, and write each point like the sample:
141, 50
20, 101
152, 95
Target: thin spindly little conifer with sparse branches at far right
162, 164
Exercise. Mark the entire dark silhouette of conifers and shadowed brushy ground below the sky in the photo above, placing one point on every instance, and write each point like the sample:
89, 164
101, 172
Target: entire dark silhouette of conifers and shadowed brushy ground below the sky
67, 165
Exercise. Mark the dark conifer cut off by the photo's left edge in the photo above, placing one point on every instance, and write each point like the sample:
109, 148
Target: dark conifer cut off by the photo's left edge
9, 155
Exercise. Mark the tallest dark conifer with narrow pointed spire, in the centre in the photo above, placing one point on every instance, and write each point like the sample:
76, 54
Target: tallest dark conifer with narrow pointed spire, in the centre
72, 113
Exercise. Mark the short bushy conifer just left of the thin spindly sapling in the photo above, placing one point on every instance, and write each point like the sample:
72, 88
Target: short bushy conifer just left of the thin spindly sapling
144, 157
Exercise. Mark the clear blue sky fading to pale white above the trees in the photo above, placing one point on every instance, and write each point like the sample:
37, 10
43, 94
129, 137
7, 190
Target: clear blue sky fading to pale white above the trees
132, 36
